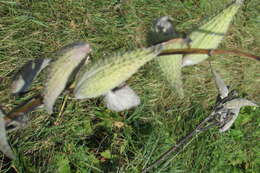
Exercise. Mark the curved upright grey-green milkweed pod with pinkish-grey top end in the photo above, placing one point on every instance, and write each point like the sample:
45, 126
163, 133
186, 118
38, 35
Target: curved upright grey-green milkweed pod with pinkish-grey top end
68, 60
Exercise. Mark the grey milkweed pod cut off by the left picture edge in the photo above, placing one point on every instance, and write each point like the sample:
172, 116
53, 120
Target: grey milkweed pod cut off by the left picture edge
4, 146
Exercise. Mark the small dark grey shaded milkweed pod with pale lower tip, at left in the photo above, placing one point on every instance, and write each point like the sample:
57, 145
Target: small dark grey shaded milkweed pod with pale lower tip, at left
27, 73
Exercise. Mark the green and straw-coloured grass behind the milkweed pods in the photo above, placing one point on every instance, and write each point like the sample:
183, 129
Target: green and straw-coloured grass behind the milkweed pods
85, 138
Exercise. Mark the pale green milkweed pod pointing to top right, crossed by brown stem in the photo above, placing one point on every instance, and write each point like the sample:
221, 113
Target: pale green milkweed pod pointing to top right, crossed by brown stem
209, 35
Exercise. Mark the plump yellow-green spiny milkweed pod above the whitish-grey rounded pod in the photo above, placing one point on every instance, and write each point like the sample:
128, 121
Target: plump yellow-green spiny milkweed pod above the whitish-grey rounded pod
106, 74
